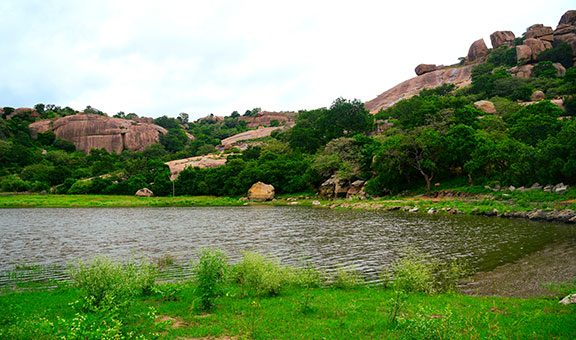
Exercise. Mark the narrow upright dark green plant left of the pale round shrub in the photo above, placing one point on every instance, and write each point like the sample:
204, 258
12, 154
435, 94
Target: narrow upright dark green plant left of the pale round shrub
210, 273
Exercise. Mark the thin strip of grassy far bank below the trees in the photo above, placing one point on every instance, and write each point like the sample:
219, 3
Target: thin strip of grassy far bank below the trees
462, 200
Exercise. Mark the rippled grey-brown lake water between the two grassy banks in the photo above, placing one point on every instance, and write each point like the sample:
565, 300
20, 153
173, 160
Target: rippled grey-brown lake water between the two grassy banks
368, 241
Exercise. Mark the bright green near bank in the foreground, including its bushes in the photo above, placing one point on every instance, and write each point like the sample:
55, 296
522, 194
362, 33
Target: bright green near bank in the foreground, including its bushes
257, 298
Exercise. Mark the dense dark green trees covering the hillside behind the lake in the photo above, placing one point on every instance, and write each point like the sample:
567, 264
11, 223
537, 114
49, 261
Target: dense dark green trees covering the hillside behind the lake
436, 136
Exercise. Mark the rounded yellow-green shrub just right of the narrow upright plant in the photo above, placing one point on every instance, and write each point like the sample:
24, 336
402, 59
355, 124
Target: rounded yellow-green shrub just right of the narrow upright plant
260, 276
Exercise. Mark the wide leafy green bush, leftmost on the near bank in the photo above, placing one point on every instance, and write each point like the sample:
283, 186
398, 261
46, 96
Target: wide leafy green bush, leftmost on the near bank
105, 283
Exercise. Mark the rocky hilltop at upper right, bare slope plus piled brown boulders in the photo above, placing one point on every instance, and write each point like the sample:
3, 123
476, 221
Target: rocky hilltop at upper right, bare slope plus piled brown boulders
537, 39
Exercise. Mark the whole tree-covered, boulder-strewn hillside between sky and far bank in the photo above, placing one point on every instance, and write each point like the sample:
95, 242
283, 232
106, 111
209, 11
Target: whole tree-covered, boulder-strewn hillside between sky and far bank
503, 118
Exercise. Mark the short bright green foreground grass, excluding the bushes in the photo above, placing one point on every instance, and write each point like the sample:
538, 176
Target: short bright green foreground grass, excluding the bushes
304, 313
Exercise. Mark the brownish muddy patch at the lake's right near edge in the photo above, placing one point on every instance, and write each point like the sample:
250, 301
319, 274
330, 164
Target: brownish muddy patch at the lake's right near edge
529, 276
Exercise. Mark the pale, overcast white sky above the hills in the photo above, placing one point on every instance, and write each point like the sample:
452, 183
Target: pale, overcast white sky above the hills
158, 58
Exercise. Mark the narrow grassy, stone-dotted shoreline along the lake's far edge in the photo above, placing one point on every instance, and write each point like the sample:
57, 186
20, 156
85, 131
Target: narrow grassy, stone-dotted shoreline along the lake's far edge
551, 208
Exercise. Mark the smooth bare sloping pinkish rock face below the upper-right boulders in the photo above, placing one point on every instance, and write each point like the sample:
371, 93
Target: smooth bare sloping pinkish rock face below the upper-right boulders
459, 76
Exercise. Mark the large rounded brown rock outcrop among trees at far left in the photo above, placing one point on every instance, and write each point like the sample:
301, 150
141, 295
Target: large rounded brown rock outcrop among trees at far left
91, 131
